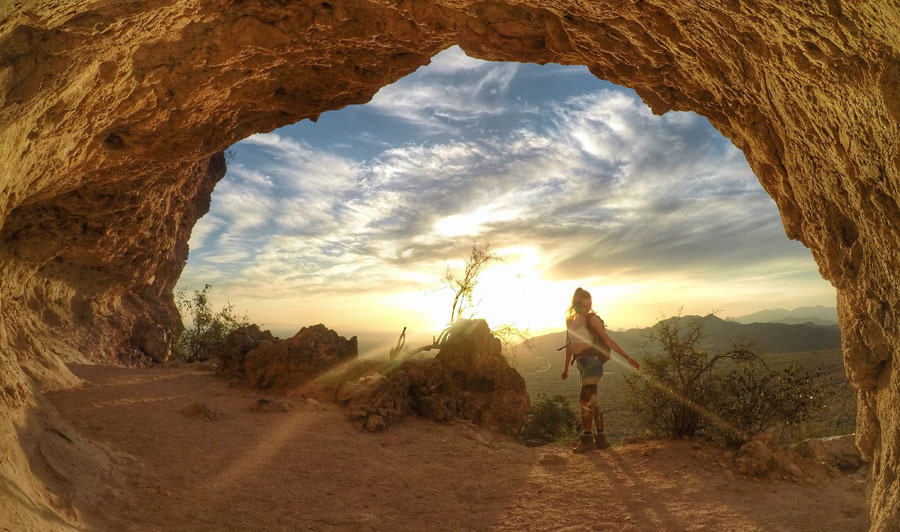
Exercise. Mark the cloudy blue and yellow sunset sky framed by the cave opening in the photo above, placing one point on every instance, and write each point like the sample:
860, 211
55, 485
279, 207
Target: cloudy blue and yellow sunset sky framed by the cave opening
571, 181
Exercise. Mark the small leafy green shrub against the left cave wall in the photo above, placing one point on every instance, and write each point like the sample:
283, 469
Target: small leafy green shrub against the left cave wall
208, 329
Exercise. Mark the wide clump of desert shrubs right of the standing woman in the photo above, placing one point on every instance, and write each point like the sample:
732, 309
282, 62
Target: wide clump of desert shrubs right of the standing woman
687, 390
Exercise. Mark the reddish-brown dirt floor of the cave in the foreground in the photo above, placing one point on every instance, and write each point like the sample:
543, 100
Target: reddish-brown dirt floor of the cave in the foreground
311, 469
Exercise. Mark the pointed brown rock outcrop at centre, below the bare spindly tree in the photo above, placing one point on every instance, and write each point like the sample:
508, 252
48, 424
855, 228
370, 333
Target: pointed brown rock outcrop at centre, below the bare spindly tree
468, 379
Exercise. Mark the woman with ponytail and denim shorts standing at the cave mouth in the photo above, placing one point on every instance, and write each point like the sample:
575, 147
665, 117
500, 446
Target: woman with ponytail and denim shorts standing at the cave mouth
588, 342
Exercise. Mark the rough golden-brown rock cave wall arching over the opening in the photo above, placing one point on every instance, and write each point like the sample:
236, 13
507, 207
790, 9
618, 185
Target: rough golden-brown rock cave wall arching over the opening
111, 113
